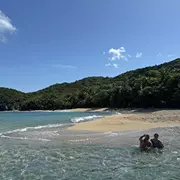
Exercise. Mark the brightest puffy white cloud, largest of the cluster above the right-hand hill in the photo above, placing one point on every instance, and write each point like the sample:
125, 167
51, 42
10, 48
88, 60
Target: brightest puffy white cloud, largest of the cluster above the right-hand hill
117, 53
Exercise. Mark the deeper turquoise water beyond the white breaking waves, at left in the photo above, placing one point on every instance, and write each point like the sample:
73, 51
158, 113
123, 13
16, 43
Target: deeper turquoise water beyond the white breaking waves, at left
16, 120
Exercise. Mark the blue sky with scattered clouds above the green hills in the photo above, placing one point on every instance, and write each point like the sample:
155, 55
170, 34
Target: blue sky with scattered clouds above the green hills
46, 42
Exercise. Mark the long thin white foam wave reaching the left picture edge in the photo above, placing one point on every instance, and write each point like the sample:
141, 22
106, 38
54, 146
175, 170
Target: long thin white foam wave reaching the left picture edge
33, 128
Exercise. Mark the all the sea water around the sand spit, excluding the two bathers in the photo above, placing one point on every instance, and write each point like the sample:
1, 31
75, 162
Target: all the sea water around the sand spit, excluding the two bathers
37, 146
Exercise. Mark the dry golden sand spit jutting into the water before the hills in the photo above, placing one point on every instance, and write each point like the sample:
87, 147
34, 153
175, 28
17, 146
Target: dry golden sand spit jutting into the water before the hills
132, 121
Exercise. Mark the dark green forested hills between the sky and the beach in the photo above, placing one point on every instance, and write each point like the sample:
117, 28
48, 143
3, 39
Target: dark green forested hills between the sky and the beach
156, 86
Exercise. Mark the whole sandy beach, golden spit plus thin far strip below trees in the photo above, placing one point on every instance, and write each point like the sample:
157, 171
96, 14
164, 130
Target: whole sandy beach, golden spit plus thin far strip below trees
125, 119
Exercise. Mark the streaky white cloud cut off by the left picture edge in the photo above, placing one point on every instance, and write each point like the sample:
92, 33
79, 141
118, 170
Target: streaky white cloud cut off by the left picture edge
5, 27
